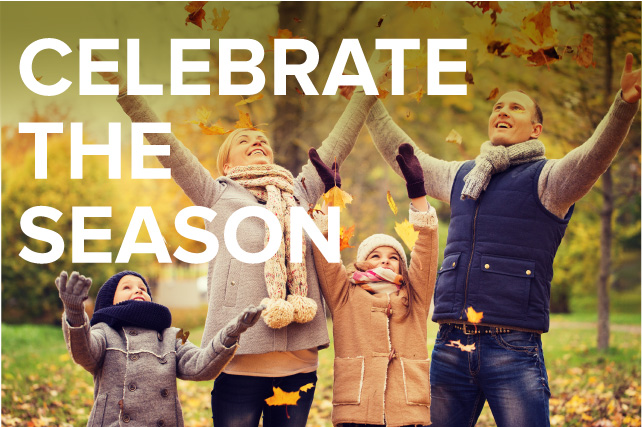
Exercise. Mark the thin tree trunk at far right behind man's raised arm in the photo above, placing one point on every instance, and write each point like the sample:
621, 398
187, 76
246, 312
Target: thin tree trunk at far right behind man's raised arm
606, 215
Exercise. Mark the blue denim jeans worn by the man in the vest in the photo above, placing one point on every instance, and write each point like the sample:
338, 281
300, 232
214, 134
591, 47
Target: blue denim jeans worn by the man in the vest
507, 370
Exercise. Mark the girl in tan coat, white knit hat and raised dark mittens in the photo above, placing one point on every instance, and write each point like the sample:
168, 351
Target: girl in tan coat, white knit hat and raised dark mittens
379, 309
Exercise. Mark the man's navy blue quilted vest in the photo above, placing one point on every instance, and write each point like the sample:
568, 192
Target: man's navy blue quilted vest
500, 250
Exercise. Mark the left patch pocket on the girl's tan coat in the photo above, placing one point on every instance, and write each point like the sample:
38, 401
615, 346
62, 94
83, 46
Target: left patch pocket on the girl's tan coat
348, 380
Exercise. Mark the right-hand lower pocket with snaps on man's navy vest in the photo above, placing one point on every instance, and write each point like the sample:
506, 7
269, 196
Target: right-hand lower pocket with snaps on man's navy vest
505, 285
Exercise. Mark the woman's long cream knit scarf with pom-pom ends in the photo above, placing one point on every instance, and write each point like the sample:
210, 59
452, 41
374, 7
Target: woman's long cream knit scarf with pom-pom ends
274, 185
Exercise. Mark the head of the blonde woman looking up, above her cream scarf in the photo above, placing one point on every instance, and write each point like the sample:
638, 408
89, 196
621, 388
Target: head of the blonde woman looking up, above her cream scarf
249, 147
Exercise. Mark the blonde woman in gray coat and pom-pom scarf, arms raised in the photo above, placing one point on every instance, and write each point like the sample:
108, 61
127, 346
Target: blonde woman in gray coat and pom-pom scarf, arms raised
282, 350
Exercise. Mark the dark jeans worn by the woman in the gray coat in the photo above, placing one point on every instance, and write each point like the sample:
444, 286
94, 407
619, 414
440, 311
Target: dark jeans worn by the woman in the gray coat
239, 400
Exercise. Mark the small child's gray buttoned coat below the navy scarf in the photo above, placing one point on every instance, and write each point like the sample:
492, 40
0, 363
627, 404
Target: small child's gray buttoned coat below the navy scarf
135, 371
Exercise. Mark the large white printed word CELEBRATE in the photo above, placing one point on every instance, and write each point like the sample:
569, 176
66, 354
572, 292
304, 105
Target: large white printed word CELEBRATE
179, 66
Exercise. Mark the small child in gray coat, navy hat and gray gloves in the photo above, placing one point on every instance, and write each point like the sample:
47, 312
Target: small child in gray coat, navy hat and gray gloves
134, 354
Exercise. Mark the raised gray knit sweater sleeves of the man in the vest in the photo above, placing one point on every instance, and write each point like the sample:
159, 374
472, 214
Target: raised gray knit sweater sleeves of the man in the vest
562, 181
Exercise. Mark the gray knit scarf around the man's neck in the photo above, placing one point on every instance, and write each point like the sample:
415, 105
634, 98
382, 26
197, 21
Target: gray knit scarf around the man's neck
493, 159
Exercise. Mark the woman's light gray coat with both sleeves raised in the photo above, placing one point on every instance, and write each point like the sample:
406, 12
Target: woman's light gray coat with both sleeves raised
233, 284
